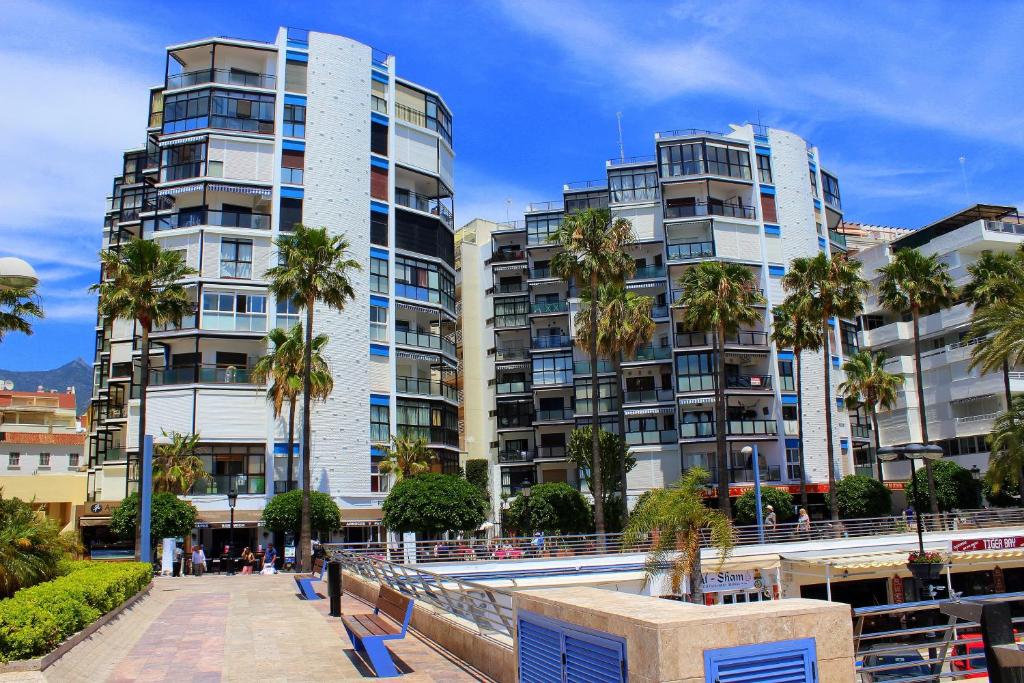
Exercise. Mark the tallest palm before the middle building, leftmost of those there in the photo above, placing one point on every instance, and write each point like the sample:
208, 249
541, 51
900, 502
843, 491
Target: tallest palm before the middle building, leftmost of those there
592, 253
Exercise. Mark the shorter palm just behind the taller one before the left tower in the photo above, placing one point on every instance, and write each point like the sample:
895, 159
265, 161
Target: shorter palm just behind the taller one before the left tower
284, 365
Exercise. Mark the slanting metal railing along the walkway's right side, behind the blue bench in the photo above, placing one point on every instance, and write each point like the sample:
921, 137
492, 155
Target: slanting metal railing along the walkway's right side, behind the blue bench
489, 610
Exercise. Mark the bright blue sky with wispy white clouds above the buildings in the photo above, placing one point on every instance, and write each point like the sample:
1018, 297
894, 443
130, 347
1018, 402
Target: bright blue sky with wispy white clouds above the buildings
893, 94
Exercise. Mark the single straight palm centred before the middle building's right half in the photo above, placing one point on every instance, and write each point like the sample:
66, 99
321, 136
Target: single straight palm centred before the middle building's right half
720, 297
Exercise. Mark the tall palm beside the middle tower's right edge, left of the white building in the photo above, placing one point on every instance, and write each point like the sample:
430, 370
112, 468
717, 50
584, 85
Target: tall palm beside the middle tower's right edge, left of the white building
823, 287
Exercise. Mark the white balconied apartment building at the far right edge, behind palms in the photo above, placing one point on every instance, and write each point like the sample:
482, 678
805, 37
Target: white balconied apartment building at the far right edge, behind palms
961, 404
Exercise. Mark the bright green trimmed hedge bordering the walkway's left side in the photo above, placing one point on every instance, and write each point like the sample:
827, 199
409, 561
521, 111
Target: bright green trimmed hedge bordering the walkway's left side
37, 620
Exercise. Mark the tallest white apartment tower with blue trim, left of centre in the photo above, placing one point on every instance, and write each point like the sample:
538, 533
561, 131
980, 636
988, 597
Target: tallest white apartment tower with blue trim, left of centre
245, 140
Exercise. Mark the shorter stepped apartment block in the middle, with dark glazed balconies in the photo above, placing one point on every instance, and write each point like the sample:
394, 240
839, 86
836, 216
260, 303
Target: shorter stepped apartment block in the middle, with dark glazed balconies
754, 196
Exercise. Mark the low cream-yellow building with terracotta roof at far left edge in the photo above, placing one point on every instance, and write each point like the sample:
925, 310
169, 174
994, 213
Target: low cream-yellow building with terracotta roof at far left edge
41, 452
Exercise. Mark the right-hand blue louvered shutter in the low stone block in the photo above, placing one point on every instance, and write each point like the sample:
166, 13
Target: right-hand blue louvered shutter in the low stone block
784, 662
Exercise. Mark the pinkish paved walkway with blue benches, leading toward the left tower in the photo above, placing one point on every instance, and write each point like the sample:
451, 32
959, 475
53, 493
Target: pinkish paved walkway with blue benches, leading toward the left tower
236, 629
